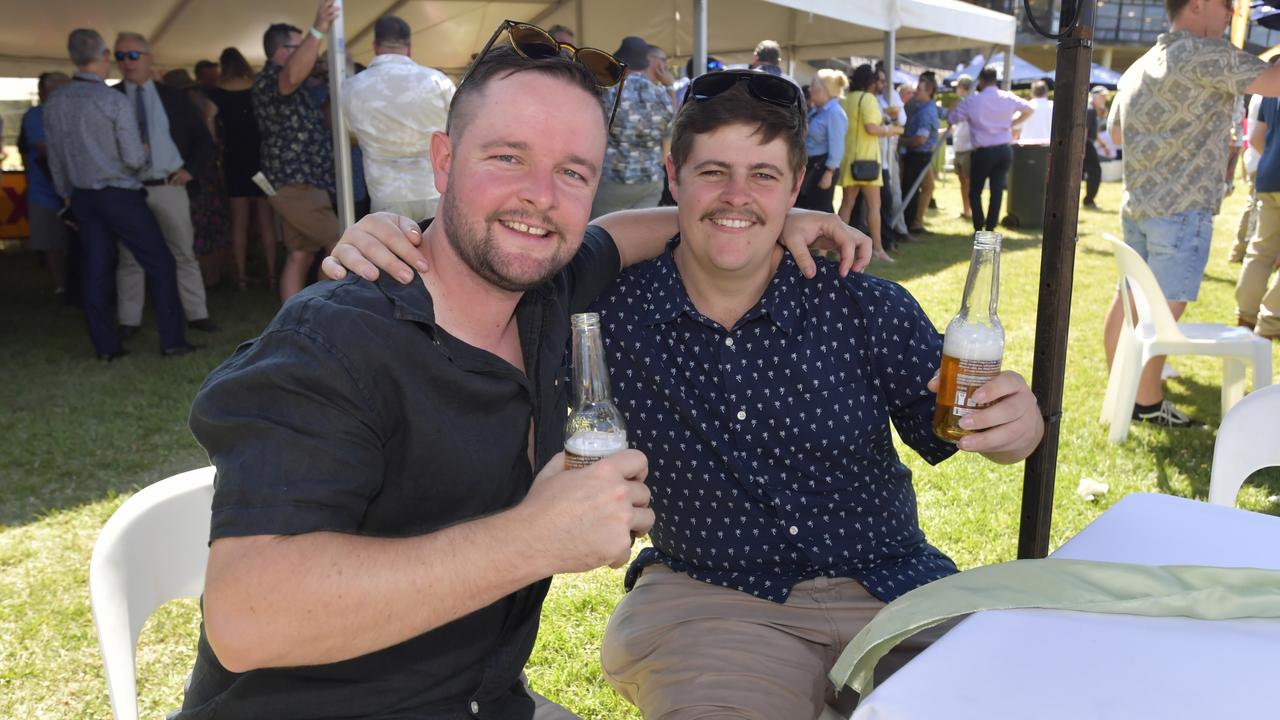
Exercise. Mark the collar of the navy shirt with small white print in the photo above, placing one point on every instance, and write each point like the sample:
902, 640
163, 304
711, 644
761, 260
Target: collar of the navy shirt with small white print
669, 298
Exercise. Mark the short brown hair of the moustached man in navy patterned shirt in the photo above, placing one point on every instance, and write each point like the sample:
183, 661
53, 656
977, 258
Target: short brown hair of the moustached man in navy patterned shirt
738, 107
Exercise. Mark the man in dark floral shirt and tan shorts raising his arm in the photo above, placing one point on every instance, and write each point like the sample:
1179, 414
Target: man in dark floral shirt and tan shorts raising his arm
298, 151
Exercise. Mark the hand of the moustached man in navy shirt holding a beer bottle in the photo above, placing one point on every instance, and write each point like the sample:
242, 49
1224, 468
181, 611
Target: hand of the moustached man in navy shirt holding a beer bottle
1011, 426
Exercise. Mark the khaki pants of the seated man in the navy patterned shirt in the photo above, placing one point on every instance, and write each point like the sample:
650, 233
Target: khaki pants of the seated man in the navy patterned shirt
680, 649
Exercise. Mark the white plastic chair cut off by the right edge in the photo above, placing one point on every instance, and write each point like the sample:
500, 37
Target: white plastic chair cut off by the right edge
1240, 450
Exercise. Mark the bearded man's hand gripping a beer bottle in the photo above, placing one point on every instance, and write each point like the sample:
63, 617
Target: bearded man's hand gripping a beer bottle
588, 517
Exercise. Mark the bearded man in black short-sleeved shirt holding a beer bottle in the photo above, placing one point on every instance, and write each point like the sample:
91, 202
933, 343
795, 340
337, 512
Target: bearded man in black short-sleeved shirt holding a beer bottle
382, 534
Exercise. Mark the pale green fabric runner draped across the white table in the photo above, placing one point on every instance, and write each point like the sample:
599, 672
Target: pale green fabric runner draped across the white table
1086, 586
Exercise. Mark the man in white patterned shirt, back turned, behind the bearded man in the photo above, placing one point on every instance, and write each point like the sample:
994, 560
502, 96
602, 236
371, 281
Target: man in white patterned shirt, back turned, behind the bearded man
394, 108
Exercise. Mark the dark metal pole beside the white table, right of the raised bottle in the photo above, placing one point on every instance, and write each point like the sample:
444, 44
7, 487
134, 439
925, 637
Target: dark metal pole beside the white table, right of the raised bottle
1058, 266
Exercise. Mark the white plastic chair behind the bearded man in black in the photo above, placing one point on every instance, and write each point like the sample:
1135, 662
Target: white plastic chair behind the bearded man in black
153, 550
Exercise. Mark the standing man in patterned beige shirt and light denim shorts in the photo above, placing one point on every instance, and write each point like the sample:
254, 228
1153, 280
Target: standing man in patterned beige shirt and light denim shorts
1174, 113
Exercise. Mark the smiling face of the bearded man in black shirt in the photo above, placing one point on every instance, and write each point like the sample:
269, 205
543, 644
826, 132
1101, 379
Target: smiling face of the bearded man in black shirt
519, 179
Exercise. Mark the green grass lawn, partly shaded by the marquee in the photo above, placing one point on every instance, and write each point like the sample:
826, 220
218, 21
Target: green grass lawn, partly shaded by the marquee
83, 436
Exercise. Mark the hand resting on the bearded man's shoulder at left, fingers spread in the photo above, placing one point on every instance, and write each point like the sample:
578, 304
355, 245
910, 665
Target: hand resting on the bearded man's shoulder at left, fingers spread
380, 240
